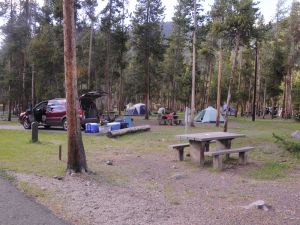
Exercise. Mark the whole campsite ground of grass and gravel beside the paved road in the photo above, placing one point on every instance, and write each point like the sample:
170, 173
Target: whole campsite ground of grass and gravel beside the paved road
149, 185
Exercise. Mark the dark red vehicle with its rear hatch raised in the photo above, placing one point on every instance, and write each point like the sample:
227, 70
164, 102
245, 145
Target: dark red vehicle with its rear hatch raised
53, 112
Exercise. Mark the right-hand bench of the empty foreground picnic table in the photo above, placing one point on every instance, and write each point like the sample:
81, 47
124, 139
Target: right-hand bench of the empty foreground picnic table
217, 160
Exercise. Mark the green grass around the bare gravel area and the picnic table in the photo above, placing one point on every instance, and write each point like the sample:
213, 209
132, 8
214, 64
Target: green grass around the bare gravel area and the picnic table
18, 154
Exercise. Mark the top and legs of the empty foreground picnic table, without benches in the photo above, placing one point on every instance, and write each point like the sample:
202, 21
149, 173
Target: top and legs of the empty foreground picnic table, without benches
200, 141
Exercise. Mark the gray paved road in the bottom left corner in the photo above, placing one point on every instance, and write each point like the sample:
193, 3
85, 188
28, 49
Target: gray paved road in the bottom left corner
17, 209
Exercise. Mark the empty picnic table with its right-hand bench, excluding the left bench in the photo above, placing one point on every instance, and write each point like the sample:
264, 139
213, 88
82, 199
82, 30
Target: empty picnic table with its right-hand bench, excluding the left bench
199, 143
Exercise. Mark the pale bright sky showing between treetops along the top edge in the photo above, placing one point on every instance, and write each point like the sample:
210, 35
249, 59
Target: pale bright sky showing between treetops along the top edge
267, 7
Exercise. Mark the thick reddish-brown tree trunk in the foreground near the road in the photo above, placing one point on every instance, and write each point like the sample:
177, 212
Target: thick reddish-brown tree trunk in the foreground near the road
76, 153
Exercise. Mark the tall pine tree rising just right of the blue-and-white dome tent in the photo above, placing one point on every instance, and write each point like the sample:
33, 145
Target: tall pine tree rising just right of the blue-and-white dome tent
147, 41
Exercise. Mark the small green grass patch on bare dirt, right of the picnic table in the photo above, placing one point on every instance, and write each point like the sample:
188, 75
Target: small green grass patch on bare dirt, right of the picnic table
270, 171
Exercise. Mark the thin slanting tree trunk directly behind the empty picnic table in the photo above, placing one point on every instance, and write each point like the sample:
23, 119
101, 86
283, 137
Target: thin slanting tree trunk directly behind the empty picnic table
232, 75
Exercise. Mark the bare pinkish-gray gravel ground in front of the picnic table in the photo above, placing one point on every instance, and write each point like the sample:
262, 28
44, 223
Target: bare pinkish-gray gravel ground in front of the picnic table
164, 192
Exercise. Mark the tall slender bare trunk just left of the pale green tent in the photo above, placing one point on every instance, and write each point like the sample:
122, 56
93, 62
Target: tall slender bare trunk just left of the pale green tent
193, 69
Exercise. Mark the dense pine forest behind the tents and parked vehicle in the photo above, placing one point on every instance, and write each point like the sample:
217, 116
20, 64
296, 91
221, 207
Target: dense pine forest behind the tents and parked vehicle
138, 57
